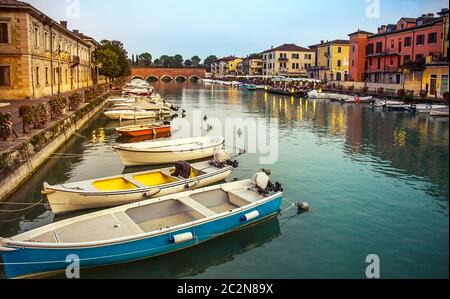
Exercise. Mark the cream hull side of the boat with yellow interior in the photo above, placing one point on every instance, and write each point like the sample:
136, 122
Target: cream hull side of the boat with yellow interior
65, 202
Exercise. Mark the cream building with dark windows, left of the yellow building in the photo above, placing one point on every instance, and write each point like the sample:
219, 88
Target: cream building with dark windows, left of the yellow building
288, 60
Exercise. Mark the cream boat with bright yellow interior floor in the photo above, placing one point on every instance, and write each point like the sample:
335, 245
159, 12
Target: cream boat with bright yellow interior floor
128, 188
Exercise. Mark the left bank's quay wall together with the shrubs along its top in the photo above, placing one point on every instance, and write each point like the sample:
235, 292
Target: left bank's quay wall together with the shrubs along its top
21, 157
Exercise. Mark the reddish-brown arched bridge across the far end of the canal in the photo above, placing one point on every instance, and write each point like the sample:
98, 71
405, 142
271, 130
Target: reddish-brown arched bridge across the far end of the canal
168, 74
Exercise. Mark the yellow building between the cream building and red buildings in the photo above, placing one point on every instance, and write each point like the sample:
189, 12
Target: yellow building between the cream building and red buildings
332, 61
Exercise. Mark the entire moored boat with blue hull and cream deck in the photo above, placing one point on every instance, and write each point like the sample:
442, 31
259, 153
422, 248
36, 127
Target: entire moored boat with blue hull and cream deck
137, 231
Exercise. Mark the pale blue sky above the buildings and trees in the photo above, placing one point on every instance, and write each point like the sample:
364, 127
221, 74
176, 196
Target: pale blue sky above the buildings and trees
227, 27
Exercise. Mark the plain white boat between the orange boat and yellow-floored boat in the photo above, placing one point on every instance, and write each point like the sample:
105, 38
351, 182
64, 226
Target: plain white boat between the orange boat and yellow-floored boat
168, 151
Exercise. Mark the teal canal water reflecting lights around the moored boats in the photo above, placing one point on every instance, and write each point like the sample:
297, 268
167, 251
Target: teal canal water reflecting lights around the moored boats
377, 183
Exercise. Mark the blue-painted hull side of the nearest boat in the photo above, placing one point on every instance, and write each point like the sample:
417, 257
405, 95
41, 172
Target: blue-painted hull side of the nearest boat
27, 262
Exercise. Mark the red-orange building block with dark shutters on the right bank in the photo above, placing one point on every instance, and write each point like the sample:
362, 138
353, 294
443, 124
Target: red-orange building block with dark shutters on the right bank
411, 53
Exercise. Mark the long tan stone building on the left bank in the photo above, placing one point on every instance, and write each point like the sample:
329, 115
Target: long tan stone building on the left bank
40, 57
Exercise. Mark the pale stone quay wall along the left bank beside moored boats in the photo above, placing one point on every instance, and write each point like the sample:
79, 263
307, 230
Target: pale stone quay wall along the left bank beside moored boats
66, 128
